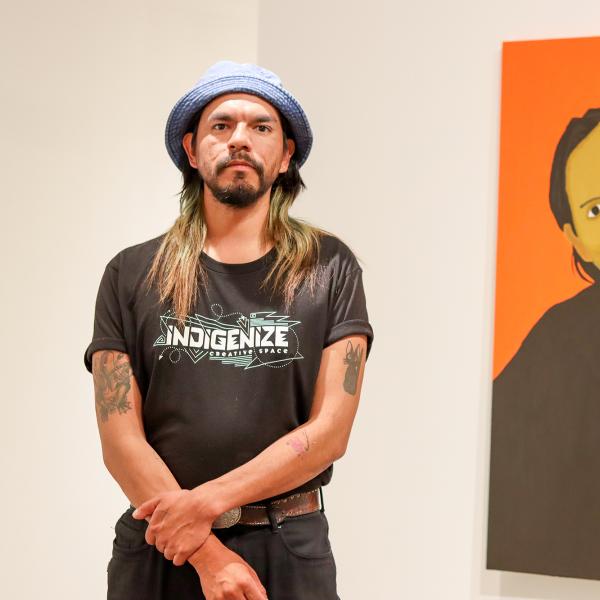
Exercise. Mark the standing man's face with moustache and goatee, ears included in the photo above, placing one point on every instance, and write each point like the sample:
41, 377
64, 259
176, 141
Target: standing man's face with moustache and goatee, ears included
238, 127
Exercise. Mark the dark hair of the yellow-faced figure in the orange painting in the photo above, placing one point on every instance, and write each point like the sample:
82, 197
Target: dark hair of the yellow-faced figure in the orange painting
577, 130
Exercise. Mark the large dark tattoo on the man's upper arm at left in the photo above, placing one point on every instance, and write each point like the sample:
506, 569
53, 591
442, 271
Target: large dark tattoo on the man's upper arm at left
112, 373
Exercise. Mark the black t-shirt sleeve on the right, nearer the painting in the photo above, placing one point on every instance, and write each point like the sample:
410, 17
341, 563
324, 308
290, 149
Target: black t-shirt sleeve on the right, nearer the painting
348, 314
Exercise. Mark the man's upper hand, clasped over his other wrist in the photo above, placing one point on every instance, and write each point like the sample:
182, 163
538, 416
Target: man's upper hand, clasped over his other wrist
180, 523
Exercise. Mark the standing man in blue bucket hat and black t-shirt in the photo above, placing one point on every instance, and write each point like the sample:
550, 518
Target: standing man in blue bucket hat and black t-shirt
228, 356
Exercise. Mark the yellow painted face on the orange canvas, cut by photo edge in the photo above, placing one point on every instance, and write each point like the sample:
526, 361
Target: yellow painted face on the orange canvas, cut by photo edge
583, 191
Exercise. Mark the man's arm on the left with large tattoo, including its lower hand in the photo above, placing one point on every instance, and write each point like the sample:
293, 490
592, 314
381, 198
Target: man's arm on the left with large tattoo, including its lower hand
139, 470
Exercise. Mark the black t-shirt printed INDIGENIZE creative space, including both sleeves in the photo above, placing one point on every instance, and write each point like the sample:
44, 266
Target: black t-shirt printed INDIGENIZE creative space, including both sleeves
241, 374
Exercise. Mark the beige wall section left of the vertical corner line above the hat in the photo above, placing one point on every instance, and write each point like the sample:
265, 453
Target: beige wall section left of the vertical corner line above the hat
86, 91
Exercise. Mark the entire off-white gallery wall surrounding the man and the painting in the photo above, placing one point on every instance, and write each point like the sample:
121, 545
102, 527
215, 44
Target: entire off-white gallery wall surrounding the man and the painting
404, 103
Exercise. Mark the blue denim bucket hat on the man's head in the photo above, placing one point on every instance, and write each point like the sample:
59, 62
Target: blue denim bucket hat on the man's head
225, 77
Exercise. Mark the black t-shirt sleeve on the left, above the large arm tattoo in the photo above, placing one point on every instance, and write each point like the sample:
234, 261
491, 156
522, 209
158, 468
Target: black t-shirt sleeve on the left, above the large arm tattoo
108, 322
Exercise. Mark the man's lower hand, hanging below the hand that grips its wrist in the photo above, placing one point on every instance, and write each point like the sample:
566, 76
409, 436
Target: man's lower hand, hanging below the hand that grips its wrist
225, 574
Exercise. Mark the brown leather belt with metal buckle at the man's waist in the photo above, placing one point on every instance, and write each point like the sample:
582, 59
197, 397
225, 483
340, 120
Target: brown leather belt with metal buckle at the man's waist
277, 510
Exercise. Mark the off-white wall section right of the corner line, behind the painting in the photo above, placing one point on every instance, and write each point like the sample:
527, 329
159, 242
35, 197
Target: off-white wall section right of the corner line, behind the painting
404, 99
